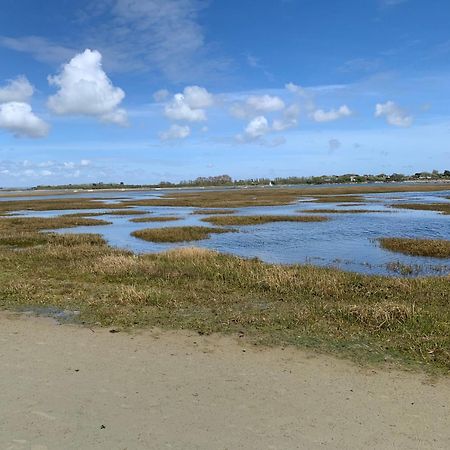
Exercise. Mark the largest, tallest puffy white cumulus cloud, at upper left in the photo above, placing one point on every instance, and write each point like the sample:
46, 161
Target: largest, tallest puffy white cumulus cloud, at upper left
85, 89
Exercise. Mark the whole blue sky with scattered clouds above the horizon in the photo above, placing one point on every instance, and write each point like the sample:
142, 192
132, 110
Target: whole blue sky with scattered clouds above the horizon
142, 91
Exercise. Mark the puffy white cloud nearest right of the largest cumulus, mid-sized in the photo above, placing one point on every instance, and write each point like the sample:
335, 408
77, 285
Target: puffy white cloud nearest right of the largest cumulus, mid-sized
190, 105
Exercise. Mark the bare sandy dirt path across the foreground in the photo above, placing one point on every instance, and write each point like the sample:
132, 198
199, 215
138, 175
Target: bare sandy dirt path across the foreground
67, 387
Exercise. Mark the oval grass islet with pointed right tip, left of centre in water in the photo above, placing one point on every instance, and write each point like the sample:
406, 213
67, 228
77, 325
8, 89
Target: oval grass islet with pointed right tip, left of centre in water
177, 234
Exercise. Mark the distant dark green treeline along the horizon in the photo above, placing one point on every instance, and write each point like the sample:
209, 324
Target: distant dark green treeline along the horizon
226, 180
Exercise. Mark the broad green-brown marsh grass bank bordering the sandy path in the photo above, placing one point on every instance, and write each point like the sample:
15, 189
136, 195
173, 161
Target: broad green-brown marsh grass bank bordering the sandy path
365, 318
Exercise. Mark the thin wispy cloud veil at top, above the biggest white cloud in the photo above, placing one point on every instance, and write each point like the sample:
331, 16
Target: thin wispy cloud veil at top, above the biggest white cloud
135, 35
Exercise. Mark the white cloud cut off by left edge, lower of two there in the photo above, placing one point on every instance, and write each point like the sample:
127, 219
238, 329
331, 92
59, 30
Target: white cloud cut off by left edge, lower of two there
18, 118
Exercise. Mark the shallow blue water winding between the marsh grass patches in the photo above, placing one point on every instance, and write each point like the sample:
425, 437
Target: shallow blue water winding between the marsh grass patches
347, 241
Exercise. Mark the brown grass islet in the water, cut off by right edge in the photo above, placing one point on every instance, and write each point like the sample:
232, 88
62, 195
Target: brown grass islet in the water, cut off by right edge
438, 248
